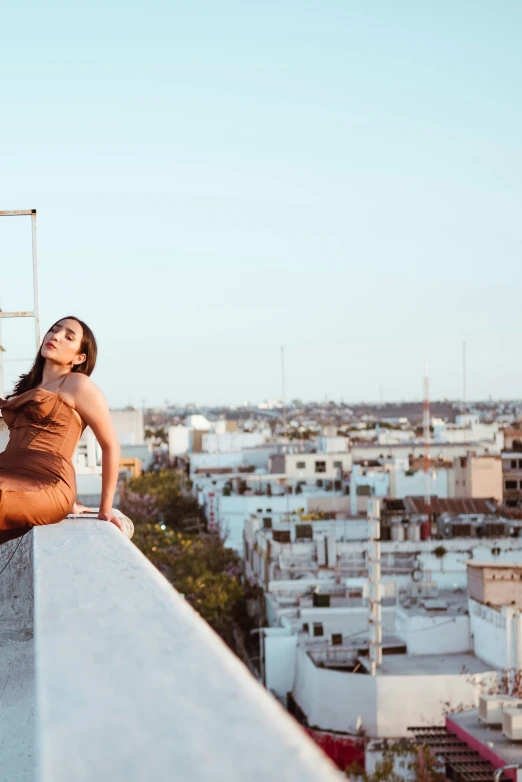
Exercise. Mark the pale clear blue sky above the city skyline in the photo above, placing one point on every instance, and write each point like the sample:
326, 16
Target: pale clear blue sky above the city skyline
217, 179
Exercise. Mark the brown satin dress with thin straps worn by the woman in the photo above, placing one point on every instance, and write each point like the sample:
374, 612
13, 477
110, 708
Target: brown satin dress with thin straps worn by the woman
37, 478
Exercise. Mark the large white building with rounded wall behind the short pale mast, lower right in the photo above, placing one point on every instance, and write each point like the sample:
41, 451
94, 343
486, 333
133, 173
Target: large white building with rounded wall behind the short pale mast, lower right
317, 659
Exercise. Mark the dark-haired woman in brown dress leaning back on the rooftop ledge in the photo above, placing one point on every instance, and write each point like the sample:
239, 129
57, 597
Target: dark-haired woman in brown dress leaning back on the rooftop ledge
46, 415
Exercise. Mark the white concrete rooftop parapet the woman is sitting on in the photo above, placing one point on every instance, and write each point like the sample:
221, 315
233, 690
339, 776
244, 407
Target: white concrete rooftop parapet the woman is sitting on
106, 673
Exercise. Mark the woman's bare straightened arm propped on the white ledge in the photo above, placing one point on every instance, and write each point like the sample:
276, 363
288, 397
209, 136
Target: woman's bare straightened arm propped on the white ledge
90, 402
